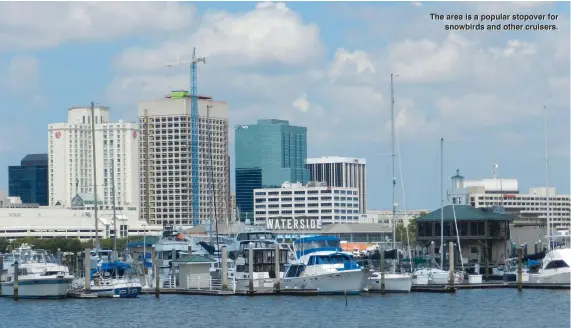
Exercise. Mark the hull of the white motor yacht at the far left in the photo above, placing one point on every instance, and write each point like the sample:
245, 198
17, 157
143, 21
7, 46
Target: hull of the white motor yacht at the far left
38, 288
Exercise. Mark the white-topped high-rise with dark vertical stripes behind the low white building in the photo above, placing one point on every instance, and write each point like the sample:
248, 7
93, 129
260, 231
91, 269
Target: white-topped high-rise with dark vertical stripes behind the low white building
341, 172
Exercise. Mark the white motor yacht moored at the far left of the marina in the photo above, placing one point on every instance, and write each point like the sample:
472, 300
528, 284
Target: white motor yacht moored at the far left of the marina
39, 275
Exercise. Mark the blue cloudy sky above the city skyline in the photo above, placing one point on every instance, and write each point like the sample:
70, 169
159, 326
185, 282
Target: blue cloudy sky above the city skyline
323, 65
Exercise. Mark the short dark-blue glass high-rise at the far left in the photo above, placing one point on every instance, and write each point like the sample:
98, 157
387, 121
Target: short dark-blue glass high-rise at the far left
29, 181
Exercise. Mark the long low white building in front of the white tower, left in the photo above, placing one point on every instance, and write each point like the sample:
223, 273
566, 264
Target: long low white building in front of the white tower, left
51, 222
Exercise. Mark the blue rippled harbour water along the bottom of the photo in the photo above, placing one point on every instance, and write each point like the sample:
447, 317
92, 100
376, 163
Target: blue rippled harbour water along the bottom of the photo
465, 309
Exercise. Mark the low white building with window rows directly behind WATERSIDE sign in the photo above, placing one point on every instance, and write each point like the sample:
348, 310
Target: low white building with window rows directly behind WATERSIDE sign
314, 201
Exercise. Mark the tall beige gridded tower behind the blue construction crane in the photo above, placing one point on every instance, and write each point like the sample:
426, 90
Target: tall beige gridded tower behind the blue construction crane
166, 170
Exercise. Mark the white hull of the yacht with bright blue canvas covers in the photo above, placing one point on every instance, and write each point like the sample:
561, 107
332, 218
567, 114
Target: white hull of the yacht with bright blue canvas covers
349, 281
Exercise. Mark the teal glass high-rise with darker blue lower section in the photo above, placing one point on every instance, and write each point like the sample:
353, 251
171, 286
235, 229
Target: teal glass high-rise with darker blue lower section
267, 154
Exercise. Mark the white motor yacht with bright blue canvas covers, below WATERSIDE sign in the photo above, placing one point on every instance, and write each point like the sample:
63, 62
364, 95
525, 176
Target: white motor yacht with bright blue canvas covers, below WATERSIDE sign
321, 265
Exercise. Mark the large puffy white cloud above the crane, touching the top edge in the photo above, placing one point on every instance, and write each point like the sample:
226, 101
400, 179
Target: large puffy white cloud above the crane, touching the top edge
271, 33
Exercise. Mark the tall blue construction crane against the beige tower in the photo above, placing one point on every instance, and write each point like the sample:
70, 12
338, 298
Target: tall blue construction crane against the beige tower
194, 130
